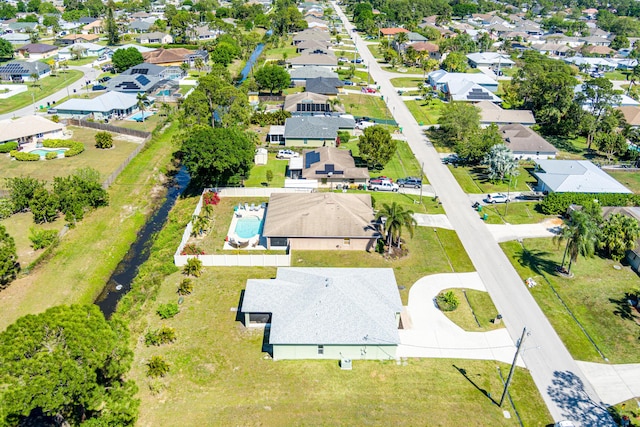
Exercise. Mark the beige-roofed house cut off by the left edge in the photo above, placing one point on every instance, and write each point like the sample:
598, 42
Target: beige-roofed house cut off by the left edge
27, 129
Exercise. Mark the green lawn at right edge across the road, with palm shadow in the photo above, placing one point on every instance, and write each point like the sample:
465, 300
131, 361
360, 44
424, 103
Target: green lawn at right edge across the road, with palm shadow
595, 295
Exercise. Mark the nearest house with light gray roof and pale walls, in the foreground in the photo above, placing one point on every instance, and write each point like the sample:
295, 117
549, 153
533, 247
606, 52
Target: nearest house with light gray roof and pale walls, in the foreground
327, 313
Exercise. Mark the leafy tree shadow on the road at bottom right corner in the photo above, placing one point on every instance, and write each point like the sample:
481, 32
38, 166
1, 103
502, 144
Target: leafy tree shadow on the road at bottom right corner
569, 394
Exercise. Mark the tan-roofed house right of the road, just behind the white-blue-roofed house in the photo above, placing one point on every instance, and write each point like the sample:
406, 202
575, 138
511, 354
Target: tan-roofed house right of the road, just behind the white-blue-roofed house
525, 143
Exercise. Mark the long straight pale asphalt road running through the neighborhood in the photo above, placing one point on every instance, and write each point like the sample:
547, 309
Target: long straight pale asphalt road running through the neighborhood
564, 388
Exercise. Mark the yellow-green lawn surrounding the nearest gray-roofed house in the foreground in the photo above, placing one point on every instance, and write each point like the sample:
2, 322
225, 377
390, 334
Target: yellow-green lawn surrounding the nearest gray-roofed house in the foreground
218, 369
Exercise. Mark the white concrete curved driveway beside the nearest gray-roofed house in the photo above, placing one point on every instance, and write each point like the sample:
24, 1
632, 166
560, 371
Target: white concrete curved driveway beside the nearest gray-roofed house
432, 334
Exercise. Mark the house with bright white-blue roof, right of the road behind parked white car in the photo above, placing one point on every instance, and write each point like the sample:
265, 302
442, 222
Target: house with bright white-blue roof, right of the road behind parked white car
574, 176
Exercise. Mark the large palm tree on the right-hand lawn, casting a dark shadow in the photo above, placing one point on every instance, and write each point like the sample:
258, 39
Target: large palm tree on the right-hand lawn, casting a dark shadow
581, 235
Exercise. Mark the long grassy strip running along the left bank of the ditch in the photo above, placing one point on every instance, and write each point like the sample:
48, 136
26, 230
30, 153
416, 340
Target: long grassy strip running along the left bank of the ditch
85, 258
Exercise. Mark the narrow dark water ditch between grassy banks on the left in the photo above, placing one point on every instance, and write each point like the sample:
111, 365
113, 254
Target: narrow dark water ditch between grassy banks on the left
120, 281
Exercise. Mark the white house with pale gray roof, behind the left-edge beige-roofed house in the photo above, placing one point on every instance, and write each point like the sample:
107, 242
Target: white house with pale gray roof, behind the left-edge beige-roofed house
106, 106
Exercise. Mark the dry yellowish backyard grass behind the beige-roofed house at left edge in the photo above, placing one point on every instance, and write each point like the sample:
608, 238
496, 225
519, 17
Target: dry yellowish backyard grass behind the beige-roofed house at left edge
104, 161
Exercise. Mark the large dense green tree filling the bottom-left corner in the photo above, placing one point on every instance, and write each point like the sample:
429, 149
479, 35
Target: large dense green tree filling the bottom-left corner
69, 364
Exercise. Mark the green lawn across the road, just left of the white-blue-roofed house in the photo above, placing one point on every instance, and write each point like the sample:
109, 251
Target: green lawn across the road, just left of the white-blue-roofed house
473, 179
